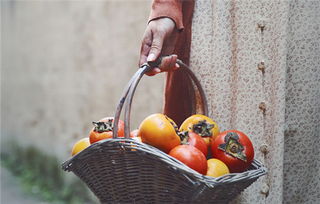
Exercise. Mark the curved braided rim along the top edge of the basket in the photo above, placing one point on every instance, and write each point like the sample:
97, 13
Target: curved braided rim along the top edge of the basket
124, 143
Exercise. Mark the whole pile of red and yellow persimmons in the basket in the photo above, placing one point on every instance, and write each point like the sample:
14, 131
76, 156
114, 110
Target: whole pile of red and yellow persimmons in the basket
198, 142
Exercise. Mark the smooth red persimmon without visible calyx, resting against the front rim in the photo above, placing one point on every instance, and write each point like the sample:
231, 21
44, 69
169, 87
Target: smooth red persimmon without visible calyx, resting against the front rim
190, 156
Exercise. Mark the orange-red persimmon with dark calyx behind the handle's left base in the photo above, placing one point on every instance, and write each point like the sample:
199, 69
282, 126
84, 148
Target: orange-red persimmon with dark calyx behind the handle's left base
103, 129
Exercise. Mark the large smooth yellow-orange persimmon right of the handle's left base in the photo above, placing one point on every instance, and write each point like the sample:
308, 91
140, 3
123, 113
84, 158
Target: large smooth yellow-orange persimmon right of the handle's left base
159, 131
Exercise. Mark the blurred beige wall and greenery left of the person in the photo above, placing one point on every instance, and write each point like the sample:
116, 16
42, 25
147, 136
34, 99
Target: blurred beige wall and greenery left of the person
64, 64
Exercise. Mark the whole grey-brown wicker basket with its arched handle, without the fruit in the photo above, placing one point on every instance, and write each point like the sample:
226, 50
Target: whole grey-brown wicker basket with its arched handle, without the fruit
121, 170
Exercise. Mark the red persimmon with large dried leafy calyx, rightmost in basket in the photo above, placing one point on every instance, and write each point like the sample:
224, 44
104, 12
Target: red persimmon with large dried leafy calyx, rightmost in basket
234, 148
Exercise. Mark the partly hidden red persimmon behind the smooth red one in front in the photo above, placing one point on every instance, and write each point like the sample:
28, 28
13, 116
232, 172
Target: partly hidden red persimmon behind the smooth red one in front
194, 139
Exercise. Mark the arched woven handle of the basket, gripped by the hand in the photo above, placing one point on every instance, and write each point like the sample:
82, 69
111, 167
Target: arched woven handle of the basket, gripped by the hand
129, 91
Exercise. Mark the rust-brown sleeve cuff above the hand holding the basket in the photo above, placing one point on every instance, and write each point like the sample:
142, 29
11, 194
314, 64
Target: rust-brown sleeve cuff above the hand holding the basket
167, 8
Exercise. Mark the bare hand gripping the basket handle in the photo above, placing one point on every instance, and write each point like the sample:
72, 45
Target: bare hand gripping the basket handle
159, 39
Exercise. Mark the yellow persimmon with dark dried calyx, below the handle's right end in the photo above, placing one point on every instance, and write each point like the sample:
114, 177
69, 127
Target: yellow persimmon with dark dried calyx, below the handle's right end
202, 125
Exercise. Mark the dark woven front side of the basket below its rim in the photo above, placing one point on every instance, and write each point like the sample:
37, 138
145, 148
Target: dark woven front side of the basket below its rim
122, 175
